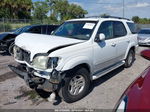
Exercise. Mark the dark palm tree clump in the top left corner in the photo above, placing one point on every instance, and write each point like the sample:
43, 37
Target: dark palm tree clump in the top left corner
15, 8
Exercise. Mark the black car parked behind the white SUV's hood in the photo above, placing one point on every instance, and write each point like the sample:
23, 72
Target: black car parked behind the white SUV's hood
7, 38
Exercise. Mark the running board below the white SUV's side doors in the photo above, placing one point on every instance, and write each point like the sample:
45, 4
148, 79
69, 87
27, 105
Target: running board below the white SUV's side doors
109, 69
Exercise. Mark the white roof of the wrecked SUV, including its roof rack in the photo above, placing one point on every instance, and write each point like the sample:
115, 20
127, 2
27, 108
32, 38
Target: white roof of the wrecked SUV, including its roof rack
97, 18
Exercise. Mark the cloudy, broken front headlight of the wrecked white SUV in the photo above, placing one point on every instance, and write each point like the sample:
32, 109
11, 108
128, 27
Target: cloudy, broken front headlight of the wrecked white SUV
45, 62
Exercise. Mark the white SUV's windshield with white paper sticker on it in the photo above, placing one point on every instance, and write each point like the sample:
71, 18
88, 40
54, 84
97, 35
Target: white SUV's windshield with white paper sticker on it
76, 30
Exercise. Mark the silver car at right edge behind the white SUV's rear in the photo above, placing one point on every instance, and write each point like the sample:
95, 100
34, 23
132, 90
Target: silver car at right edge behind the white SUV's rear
144, 36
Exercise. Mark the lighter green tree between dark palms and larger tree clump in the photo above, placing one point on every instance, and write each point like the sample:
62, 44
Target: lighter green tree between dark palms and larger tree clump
40, 10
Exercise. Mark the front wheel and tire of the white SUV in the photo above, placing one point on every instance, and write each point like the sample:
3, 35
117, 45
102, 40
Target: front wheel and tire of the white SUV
67, 92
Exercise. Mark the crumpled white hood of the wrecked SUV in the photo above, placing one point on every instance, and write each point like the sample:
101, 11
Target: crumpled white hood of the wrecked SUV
37, 43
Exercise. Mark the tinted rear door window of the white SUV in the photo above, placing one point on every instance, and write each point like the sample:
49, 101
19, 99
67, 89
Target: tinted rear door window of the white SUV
119, 29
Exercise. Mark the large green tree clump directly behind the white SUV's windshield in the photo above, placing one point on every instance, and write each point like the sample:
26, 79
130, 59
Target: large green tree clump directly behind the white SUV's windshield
62, 10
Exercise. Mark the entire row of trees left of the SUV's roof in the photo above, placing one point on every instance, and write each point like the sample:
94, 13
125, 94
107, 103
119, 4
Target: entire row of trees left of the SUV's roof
51, 11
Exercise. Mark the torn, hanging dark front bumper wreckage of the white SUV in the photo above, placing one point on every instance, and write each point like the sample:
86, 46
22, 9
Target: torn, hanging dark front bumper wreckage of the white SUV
36, 82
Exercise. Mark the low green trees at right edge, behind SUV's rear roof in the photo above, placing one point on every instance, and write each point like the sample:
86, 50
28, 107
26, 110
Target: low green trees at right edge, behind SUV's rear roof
138, 20
